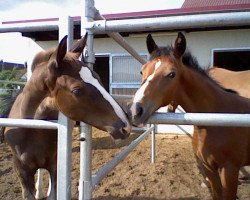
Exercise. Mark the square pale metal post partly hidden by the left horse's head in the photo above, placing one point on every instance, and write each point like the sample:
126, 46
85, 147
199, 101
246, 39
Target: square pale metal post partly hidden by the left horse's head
64, 146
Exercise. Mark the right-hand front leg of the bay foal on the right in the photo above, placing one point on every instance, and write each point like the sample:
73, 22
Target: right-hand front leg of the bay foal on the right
229, 180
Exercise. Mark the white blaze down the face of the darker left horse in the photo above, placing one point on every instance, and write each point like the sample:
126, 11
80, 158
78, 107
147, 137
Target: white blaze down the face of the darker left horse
87, 77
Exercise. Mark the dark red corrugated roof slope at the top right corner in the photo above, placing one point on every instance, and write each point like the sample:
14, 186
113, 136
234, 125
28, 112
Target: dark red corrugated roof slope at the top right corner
211, 3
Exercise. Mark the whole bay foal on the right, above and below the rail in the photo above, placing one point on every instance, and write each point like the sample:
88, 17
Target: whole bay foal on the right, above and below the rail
173, 75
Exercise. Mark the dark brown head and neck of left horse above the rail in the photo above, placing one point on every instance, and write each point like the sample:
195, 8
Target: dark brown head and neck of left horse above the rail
75, 90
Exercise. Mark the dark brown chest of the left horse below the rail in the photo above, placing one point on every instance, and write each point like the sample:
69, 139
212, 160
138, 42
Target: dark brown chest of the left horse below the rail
33, 147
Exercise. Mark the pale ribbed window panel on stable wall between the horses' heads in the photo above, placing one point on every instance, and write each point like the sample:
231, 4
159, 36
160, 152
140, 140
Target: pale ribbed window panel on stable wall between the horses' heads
126, 69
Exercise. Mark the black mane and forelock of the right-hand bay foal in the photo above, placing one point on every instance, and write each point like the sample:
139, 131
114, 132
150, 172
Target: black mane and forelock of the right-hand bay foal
189, 61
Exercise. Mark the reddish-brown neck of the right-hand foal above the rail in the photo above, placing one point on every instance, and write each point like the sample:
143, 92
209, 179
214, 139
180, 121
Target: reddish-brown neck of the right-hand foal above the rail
199, 94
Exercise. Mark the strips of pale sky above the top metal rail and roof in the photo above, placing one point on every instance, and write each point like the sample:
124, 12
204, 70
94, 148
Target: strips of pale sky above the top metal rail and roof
26, 9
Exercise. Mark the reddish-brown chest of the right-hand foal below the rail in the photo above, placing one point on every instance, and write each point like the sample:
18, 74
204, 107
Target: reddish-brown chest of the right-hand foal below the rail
220, 144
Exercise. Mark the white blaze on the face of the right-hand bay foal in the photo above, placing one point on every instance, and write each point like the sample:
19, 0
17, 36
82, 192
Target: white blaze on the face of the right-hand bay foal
140, 92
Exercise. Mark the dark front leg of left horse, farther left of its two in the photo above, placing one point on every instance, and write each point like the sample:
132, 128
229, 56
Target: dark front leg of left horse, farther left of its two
26, 179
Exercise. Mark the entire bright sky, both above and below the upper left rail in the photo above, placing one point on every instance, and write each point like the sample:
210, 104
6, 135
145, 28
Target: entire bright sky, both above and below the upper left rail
35, 9
